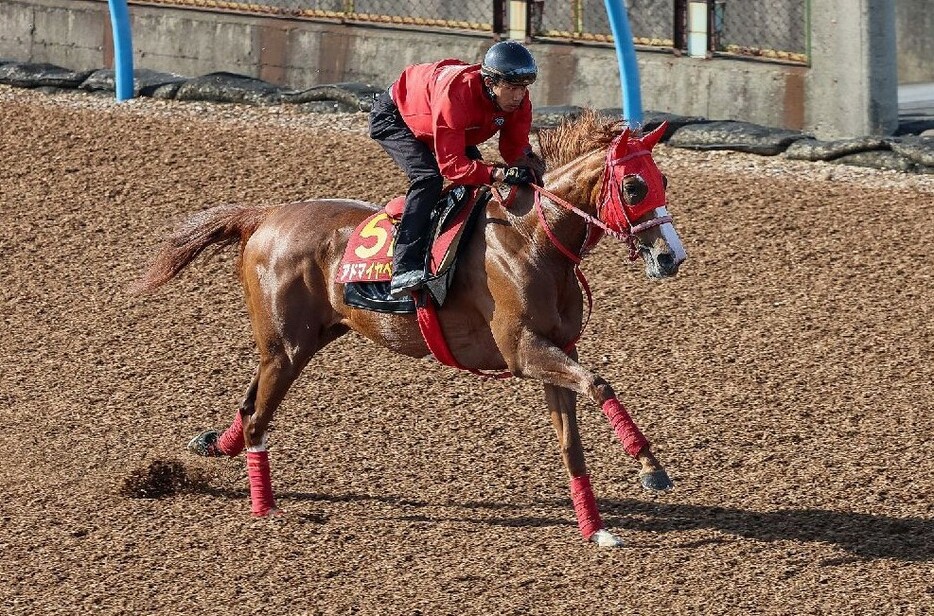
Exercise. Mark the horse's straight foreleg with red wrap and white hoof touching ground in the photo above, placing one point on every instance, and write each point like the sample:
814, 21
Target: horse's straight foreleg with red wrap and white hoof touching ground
561, 405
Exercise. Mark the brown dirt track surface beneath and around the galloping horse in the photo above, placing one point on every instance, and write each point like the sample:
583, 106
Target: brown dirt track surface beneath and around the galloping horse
784, 377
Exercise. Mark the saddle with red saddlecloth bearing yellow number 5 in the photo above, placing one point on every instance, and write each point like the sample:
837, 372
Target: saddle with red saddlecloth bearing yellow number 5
366, 267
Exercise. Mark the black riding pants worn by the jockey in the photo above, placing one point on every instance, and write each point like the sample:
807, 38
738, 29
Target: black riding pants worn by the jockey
419, 164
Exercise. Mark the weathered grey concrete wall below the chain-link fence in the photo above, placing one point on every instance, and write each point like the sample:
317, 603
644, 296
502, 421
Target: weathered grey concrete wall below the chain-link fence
76, 34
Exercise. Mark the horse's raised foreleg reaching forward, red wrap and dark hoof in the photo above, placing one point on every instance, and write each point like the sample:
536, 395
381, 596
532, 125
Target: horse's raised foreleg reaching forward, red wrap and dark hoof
539, 358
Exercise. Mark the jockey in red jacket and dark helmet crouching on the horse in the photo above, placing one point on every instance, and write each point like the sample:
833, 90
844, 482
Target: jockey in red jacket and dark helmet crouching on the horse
430, 122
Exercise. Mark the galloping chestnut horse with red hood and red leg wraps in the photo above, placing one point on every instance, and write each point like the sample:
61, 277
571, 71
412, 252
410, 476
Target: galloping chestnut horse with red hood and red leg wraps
516, 302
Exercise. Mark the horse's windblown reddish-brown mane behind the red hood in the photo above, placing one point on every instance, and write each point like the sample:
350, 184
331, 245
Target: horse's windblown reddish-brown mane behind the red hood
574, 137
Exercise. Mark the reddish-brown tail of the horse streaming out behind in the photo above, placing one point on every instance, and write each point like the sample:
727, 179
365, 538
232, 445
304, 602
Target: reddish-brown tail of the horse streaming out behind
221, 225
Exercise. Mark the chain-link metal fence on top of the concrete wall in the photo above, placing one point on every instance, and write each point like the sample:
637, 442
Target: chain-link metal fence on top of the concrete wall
773, 29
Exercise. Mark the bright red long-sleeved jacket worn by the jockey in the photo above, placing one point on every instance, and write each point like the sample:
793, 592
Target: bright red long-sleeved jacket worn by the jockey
446, 107
